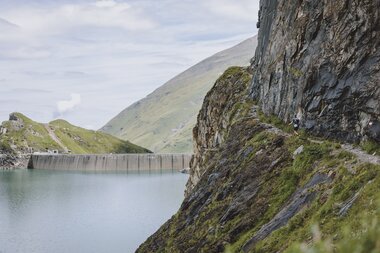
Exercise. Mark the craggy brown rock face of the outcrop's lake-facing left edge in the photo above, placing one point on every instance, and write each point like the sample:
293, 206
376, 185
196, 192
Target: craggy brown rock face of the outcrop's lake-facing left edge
222, 104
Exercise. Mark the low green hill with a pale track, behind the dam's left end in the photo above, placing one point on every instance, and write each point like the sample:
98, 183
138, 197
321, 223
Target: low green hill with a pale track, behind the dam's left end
26, 135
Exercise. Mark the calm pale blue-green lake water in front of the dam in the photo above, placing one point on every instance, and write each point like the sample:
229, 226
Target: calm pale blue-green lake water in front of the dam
49, 211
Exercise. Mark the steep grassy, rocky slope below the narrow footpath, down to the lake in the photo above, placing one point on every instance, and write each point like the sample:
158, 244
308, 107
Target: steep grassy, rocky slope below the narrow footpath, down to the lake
259, 189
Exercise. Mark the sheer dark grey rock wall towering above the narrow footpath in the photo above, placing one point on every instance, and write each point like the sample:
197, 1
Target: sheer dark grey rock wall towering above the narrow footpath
320, 60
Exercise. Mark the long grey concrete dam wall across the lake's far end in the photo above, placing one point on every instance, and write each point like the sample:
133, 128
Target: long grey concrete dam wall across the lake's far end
111, 162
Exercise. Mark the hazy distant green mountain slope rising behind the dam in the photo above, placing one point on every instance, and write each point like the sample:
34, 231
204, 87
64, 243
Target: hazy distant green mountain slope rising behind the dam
163, 121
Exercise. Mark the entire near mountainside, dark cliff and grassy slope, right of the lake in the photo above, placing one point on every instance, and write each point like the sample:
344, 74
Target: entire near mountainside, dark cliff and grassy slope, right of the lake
256, 185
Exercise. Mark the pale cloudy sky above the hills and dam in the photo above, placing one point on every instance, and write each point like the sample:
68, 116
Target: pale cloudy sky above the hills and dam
86, 60
